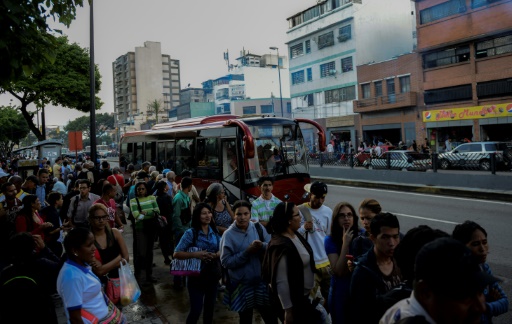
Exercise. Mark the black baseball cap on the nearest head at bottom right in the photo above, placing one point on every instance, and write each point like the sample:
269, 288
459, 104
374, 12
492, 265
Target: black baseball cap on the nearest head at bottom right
450, 269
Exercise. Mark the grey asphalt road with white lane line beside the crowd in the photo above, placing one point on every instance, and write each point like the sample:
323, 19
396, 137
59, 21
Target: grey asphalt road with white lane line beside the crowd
443, 212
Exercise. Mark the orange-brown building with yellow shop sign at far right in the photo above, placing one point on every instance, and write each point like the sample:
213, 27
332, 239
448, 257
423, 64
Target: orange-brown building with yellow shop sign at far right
466, 55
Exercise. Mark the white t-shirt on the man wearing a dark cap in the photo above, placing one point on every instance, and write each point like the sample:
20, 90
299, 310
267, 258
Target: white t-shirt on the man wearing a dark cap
321, 228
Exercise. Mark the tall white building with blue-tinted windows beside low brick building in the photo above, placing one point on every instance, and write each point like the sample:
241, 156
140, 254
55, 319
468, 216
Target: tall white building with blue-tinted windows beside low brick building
328, 40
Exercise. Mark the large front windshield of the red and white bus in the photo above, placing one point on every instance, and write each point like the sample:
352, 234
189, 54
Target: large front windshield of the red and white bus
280, 151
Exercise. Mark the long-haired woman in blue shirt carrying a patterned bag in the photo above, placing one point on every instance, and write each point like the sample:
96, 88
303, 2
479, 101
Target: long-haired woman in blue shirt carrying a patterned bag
202, 290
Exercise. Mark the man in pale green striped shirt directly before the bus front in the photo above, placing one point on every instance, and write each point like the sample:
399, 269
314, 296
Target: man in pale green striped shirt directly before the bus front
263, 207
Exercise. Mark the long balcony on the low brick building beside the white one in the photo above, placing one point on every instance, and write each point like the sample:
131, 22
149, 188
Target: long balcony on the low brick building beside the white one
400, 100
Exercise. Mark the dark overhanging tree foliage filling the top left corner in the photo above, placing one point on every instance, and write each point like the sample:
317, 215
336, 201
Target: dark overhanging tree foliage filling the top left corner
26, 42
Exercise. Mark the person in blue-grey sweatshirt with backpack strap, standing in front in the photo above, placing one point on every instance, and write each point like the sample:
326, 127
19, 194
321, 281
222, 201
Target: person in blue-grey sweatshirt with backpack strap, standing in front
242, 248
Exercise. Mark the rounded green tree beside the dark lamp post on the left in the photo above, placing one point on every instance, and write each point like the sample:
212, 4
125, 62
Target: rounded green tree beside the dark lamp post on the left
64, 83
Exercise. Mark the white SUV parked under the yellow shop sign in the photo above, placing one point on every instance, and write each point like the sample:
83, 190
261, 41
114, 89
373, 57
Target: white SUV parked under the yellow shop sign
476, 155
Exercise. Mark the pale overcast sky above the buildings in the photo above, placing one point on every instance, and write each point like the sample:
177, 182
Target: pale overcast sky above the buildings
196, 32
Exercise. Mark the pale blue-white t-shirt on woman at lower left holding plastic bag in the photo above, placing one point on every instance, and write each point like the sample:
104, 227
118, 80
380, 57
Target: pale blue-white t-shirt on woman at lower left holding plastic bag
79, 288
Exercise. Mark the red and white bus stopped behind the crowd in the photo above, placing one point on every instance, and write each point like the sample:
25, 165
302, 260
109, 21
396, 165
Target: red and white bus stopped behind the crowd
229, 149
